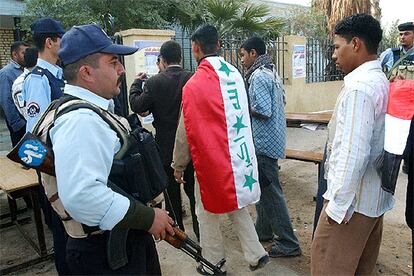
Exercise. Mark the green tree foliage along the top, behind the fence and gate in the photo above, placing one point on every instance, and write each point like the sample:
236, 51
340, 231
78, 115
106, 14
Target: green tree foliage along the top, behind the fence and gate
233, 18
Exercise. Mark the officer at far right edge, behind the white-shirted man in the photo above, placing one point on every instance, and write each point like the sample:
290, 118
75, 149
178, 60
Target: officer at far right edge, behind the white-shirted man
392, 55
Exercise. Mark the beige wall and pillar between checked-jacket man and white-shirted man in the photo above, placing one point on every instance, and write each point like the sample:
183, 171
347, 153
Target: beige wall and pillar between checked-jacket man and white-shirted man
302, 96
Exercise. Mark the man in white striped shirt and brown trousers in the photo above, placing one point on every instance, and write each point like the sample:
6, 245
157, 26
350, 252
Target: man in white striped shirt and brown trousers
348, 235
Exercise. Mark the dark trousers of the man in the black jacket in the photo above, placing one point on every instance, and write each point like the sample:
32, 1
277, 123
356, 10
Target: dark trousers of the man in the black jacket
174, 192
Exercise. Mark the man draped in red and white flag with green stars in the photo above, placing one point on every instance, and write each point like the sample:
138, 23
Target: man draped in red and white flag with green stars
215, 132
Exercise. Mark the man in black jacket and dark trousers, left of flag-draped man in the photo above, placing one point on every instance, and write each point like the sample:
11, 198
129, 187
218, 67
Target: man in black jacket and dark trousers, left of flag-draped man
162, 97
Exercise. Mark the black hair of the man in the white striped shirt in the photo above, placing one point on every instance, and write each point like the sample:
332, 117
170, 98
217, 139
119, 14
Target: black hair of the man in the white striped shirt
363, 26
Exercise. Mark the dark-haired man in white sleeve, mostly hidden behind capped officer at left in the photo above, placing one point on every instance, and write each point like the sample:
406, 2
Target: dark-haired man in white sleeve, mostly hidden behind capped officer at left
30, 59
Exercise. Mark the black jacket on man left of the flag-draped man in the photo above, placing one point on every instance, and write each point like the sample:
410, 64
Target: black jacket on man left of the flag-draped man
162, 97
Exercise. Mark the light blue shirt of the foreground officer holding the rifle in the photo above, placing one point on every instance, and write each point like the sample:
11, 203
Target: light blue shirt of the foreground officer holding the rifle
84, 147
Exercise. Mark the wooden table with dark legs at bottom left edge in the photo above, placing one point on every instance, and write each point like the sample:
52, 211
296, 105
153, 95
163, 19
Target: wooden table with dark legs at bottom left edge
16, 181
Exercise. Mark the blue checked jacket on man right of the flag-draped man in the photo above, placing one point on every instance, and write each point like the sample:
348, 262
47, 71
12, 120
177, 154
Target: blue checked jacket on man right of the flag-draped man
266, 98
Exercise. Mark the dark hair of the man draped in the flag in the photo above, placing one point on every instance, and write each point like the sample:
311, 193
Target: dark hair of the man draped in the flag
207, 37
